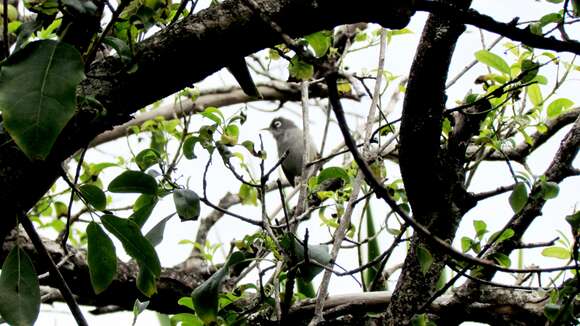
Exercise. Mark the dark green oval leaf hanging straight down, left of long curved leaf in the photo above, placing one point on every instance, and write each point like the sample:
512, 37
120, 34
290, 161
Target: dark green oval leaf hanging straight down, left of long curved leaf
101, 258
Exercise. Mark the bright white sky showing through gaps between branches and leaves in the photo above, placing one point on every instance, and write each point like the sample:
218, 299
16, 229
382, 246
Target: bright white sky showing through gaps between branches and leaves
399, 57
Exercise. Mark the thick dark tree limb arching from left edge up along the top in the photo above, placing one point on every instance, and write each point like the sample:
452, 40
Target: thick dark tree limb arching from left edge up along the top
179, 55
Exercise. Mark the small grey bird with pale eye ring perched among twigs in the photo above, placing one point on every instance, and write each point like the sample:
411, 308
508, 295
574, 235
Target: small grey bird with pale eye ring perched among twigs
289, 138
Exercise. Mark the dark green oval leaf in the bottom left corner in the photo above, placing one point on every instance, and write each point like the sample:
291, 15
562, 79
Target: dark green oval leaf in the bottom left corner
19, 289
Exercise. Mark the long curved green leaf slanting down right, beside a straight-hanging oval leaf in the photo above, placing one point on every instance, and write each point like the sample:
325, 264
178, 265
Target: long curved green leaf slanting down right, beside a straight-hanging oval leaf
138, 247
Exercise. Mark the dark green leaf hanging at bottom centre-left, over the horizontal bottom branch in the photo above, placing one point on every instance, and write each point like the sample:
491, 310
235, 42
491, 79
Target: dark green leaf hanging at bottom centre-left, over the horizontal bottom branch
205, 296
